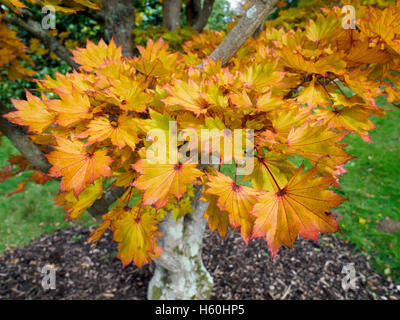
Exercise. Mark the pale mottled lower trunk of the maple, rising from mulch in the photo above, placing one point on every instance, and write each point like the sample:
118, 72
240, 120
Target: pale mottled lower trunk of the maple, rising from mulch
180, 273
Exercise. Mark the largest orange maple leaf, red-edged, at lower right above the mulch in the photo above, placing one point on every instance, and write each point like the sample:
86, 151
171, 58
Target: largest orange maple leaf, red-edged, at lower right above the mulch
299, 208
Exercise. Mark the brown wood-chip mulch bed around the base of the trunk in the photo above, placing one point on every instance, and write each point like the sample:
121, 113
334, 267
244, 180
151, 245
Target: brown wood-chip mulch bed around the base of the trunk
311, 270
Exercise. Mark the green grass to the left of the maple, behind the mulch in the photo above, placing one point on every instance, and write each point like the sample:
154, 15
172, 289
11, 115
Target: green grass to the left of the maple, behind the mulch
27, 215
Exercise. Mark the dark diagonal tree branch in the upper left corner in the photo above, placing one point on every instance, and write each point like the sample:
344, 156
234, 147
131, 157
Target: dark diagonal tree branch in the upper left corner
35, 28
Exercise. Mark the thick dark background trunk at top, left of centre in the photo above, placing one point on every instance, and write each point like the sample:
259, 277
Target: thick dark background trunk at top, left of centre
119, 21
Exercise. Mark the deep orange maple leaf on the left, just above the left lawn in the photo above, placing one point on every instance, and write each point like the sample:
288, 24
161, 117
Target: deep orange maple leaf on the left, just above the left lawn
77, 166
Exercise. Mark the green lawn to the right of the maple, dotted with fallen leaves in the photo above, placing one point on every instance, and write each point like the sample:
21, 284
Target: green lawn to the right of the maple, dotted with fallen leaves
372, 186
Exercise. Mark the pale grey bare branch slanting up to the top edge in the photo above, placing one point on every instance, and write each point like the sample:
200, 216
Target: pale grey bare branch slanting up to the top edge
247, 25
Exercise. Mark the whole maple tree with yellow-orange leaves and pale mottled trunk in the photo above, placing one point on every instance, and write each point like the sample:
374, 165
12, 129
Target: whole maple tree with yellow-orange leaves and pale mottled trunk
300, 90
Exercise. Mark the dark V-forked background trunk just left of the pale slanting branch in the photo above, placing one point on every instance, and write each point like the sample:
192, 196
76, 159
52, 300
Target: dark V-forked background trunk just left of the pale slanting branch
196, 15
